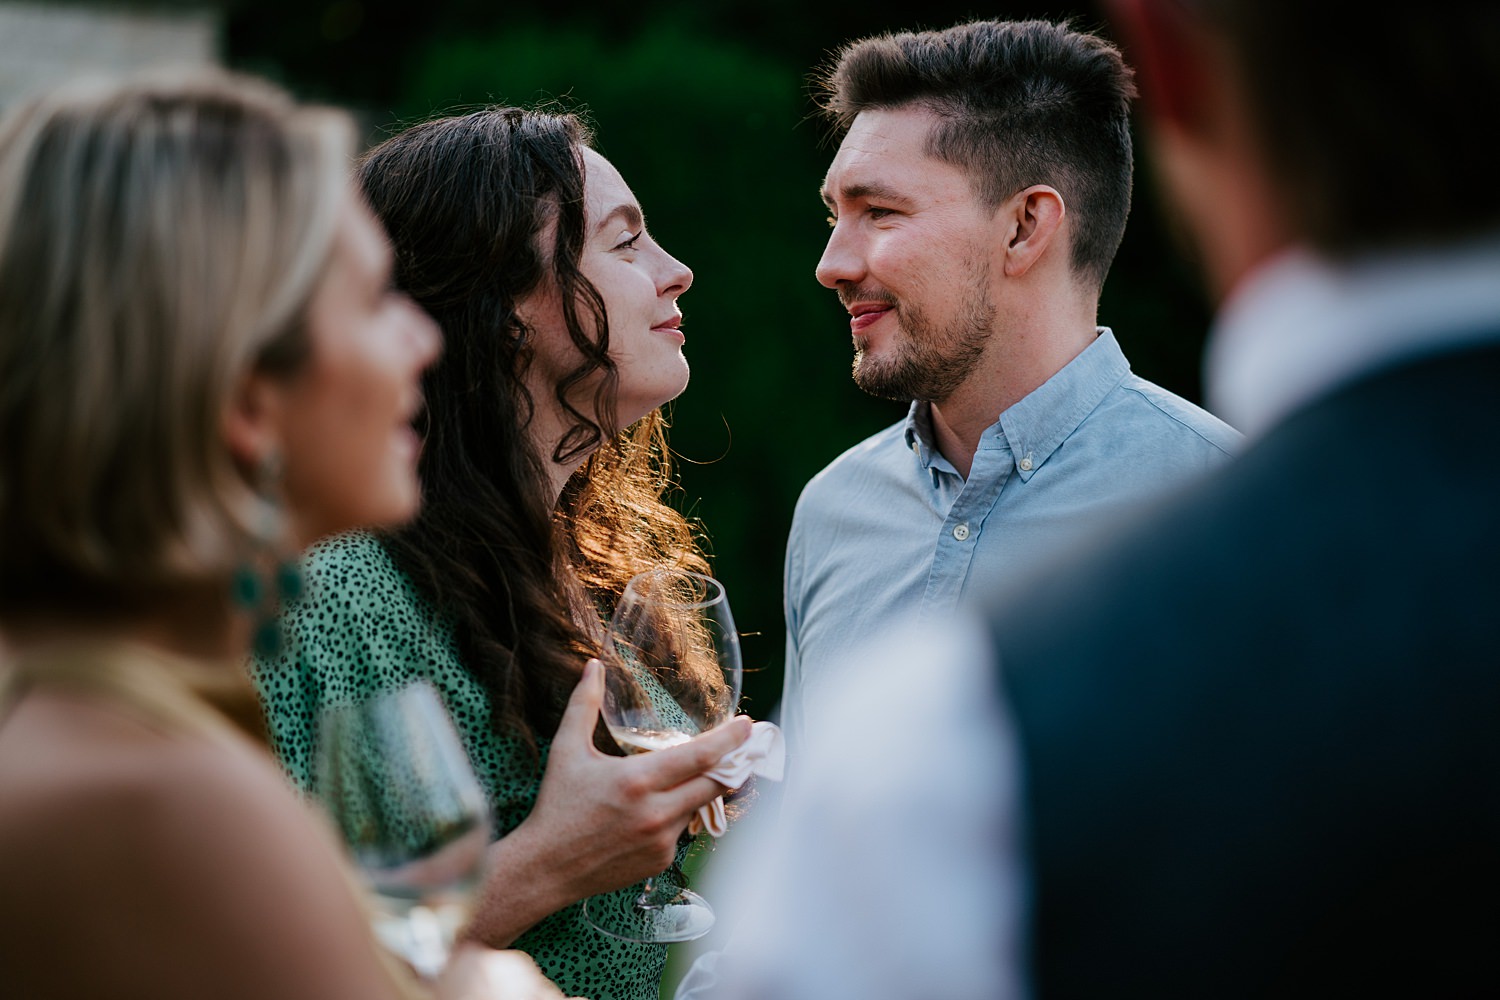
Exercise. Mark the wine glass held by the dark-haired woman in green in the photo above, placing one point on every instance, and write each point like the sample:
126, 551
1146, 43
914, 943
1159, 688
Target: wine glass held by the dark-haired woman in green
671, 671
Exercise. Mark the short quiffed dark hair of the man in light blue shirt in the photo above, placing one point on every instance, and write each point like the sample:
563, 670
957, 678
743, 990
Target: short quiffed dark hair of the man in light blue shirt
1021, 103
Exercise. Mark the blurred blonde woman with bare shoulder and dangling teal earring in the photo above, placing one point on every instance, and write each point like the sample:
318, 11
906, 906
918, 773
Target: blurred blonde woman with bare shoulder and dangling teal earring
203, 368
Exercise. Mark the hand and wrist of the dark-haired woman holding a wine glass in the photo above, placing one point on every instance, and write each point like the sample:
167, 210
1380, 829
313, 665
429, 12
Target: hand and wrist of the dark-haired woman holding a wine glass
599, 824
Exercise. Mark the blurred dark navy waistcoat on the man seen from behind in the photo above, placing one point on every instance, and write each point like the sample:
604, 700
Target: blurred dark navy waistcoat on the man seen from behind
1261, 732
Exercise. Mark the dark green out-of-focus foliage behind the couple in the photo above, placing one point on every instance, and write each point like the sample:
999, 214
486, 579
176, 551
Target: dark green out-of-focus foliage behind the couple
704, 109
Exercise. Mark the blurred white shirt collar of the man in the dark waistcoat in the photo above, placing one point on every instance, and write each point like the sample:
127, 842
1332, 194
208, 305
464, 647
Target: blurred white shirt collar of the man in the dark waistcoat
1301, 325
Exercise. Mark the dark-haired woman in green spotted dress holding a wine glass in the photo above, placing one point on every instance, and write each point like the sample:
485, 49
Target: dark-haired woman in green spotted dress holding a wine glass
544, 467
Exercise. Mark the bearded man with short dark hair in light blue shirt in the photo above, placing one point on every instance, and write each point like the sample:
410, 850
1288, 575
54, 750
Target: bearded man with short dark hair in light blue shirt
977, 202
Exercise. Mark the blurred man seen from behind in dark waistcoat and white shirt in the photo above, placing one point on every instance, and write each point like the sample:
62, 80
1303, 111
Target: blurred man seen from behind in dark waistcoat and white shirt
1252, 746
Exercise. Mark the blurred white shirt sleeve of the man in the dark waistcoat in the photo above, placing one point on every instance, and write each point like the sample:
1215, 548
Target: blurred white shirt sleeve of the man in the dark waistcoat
895, 869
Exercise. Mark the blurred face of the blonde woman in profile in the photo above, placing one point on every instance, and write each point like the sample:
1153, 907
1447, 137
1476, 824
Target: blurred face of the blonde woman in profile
349, 446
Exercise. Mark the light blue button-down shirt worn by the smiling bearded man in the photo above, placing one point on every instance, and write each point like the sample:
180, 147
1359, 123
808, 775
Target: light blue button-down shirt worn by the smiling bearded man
892, 530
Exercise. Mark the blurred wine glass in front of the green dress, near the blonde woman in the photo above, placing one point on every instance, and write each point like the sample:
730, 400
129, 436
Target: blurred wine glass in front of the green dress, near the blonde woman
394, 776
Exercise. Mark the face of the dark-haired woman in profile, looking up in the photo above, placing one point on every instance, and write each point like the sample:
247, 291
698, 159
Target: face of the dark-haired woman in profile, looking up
640, 284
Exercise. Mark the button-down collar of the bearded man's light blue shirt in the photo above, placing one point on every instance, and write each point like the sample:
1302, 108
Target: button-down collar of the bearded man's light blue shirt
1037, 425
